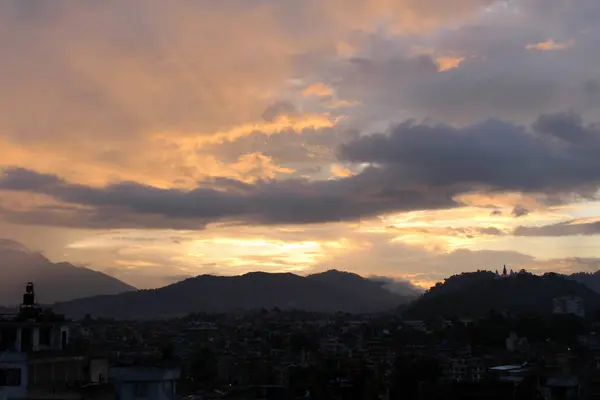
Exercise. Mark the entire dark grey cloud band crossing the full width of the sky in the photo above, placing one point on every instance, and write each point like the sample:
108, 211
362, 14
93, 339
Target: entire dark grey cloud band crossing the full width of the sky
414, 167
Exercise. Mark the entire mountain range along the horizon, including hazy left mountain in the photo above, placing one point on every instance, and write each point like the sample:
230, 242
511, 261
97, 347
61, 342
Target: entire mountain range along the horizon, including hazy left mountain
77, 291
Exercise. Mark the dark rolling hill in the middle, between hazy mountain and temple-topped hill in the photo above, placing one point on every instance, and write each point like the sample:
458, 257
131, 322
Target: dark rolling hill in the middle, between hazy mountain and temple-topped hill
328, 292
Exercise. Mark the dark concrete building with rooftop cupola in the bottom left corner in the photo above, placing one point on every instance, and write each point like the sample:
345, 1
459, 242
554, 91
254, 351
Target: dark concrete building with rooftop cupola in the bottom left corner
36, 360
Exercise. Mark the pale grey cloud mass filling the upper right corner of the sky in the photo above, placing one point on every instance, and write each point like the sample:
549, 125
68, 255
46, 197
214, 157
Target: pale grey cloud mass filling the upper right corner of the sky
498, 76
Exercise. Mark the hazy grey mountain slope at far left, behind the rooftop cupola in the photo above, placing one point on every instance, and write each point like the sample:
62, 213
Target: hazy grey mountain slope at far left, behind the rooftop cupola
54, 281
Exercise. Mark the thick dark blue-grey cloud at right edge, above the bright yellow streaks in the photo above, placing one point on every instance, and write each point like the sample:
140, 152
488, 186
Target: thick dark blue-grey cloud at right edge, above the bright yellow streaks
558, 154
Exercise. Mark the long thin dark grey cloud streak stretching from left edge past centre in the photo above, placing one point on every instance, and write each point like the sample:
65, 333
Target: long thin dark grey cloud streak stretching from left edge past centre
267, 202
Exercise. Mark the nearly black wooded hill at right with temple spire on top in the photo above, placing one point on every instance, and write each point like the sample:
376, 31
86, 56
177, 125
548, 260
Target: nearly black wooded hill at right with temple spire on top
475, 294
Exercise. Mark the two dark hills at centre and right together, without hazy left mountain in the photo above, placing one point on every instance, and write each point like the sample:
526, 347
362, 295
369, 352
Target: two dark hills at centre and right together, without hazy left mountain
471, 294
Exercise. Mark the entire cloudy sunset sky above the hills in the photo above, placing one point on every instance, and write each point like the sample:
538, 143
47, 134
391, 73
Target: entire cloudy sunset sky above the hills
411, 139
